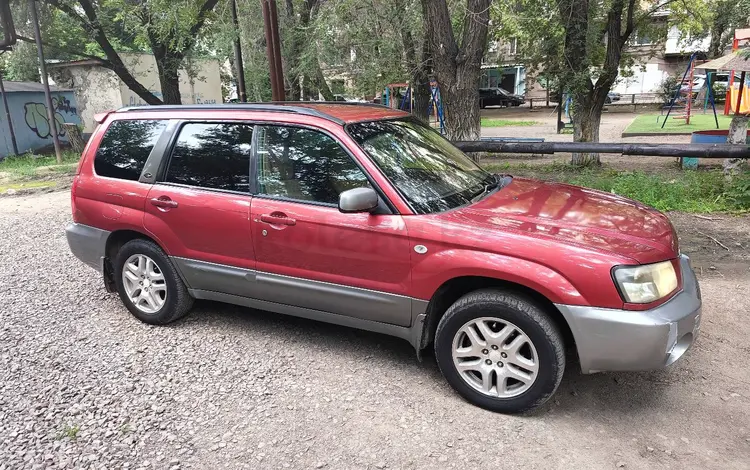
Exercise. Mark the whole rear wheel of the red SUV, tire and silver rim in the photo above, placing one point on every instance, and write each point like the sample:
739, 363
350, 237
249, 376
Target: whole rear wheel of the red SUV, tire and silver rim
148, 283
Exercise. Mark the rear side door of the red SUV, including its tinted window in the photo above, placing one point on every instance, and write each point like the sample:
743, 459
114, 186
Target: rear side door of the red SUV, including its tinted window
200, 207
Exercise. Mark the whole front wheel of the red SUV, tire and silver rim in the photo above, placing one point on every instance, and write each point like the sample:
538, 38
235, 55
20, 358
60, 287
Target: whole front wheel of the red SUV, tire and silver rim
500, 351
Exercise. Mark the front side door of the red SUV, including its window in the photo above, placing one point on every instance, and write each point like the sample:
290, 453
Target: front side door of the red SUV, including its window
309, 254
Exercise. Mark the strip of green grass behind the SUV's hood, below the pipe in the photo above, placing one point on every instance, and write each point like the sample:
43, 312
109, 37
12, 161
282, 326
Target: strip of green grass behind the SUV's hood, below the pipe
687, 191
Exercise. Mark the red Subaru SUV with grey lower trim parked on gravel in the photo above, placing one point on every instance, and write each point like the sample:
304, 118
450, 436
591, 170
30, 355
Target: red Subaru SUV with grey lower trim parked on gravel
362, 216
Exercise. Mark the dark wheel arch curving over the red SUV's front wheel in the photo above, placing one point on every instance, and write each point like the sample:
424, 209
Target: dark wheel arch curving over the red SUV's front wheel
453, 289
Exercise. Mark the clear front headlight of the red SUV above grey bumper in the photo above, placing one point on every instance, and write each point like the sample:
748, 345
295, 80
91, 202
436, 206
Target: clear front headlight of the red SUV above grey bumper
645, 284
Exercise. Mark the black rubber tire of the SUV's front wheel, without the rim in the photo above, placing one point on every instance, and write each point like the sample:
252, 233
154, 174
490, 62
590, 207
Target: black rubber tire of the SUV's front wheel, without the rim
524, 314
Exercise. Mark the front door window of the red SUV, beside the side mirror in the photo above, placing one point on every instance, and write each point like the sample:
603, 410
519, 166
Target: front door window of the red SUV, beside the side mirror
306, 165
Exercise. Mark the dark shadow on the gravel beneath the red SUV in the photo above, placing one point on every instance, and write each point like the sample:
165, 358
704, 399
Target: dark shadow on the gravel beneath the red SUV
609, 393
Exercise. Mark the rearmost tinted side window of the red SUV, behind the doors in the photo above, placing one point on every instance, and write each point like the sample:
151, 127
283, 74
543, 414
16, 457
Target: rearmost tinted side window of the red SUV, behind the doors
125, 147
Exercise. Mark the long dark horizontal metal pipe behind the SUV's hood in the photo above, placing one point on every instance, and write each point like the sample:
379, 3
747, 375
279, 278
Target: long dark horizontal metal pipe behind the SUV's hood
653, 150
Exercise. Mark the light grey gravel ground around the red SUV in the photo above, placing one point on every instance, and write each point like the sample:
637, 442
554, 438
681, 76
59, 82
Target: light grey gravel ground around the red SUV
85, 385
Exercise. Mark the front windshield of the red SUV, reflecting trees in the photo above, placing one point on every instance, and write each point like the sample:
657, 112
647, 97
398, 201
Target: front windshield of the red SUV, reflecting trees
429, 172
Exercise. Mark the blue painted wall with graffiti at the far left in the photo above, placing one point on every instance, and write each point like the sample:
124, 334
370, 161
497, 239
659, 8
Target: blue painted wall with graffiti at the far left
28, 113
